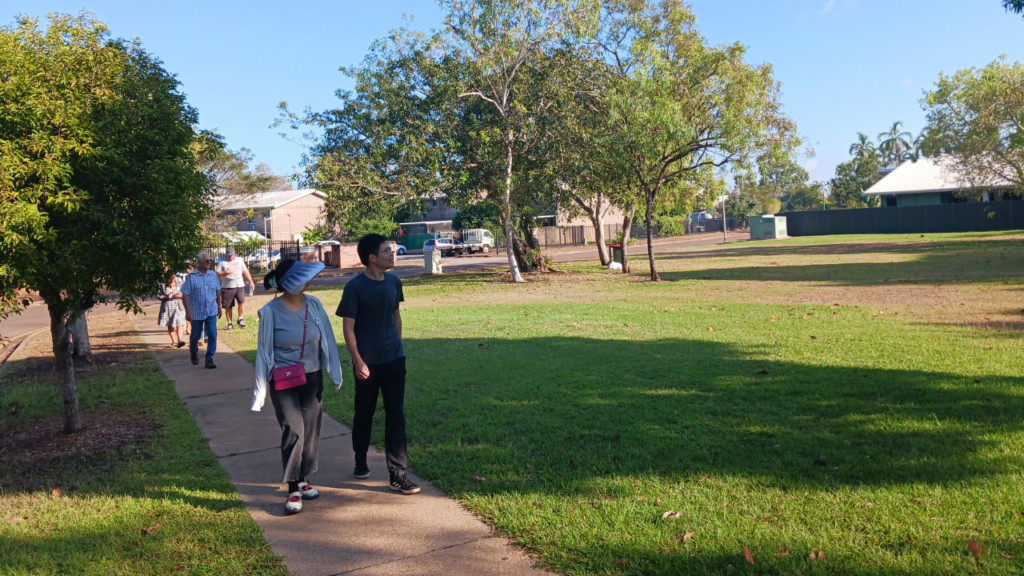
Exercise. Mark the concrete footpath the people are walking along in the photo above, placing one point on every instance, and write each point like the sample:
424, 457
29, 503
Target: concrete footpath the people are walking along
358, 527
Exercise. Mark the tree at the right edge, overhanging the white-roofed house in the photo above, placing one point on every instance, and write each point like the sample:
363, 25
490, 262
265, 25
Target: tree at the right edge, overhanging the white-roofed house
977, 118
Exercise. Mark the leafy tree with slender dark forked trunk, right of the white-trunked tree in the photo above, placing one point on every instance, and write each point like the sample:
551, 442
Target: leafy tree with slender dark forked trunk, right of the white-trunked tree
677, 105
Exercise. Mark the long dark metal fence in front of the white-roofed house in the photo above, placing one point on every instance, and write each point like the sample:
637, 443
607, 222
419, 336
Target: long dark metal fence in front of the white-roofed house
966, 217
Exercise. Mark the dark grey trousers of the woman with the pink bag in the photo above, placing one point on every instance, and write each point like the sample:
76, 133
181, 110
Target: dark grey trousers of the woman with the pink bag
300, 415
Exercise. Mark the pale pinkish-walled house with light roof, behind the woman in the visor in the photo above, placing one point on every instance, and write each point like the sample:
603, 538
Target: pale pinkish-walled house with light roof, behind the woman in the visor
283, 215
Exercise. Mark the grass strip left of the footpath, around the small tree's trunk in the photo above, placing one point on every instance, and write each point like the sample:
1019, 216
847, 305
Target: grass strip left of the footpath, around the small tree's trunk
147, 497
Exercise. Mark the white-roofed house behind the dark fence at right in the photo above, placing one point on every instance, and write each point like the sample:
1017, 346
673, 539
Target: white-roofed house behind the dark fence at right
924, 183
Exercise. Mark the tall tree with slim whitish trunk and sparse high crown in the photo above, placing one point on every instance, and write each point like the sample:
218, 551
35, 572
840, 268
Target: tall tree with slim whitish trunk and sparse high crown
501, 39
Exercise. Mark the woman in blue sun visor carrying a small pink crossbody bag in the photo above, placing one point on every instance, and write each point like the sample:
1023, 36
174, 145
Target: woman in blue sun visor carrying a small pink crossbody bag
294, 343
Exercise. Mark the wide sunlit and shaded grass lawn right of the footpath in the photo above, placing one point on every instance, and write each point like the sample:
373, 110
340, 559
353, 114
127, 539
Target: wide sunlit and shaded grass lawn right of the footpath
573, 413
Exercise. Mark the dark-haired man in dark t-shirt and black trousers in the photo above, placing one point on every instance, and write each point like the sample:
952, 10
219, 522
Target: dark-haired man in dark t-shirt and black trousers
373, 335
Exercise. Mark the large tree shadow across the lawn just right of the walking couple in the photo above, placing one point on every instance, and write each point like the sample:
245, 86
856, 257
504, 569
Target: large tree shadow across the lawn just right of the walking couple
578, 409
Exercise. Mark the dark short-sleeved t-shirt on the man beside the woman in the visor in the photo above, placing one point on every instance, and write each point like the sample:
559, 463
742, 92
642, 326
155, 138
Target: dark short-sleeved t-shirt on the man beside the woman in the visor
373, 304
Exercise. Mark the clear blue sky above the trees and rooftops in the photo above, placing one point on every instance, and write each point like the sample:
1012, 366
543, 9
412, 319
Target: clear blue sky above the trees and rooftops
846, 66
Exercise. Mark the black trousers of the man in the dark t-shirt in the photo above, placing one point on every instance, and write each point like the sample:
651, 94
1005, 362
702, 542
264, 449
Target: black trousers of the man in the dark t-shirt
390, 381
